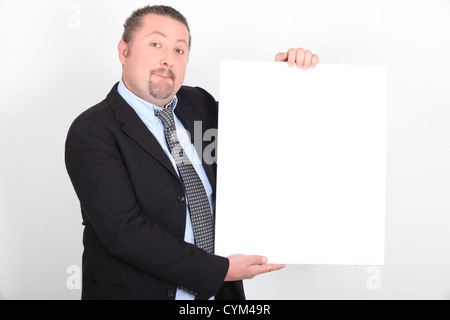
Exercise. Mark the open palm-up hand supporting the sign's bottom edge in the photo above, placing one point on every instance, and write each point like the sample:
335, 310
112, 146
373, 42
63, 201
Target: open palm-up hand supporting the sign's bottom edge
246, 267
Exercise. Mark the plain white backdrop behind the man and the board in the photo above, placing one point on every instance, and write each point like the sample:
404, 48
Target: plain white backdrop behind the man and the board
58, 57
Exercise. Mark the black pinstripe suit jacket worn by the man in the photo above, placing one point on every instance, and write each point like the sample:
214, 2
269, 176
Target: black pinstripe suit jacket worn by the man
133, 211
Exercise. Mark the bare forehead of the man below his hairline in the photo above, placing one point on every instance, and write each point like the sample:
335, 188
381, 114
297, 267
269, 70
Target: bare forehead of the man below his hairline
165, 25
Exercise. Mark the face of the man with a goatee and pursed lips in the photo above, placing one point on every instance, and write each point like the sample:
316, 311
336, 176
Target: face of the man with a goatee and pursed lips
154, 66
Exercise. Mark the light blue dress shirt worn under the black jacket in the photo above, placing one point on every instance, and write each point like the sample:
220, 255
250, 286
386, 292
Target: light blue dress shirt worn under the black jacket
146, 112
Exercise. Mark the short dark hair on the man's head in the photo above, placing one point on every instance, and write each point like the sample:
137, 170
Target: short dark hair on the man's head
134, 21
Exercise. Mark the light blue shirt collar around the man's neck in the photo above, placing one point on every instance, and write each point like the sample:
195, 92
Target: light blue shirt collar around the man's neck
143, 108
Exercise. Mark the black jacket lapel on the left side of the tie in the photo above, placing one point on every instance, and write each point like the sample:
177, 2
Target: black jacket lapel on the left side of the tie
136, 129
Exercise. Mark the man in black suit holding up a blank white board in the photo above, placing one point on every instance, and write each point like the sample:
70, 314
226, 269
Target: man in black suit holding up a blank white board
138, 198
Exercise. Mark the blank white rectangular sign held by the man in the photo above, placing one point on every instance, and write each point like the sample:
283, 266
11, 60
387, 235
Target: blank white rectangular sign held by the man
301, 163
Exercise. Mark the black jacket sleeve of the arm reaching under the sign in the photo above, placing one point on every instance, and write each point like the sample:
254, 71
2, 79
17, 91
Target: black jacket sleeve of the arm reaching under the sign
100, 179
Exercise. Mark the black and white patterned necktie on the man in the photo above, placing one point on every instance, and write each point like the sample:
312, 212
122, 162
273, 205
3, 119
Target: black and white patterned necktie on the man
198, 203
